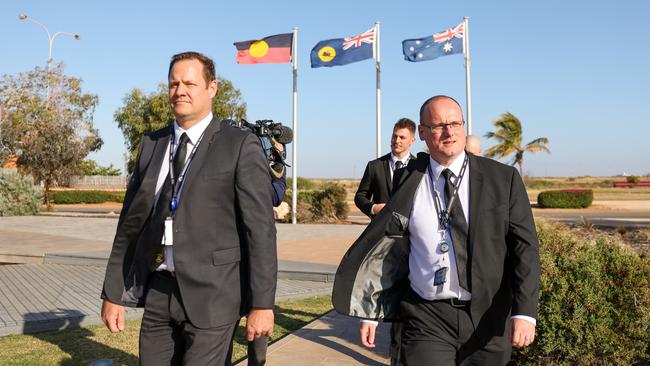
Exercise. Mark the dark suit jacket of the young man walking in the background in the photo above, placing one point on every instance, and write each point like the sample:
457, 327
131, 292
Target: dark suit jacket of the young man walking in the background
376, 185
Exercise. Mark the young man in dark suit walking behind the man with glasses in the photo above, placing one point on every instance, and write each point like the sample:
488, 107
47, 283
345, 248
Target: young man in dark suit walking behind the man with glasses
376, 185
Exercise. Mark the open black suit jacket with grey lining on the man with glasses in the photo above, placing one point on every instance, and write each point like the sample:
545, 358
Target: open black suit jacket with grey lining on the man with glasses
503, 249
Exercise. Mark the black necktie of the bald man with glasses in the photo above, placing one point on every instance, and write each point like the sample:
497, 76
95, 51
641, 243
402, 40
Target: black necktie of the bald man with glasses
458, 232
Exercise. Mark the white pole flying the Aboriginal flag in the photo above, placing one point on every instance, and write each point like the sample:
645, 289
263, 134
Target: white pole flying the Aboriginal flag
294, 124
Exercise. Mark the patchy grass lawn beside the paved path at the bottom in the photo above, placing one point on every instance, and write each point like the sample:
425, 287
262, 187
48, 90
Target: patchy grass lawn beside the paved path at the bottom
84, 345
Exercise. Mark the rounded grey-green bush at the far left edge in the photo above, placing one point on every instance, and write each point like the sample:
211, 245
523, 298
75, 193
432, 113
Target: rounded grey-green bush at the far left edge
18, 194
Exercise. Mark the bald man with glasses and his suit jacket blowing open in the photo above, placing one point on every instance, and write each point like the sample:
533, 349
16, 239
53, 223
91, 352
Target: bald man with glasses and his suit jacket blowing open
454, 253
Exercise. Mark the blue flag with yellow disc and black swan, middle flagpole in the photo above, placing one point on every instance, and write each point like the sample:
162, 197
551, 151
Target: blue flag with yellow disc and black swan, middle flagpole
342, 51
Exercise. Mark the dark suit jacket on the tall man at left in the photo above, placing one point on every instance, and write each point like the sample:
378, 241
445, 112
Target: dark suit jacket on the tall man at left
224, 232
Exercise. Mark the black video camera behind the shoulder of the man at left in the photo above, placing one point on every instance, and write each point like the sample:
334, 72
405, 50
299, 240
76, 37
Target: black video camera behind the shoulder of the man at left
269, 133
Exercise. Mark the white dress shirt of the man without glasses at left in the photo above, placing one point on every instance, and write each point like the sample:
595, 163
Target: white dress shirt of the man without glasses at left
193, 133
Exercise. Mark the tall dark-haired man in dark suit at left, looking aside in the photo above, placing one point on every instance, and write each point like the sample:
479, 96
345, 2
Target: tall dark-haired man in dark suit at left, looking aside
195, 243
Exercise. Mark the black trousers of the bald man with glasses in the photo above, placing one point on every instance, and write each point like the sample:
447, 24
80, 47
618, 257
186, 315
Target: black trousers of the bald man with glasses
437, 333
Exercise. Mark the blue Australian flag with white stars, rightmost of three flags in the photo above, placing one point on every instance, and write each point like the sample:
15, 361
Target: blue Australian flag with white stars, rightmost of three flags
444, 43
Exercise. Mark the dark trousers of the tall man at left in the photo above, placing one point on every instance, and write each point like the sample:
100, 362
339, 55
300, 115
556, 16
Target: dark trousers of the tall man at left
168, 338
